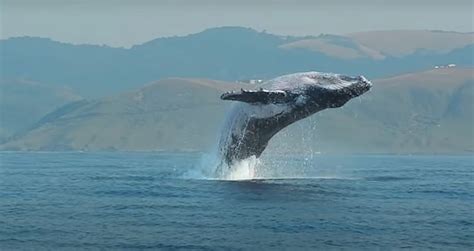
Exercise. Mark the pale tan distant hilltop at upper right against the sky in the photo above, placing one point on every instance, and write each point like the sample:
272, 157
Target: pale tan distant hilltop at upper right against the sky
380, 45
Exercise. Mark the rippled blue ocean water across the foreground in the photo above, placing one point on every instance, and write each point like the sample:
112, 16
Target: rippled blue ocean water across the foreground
161, 201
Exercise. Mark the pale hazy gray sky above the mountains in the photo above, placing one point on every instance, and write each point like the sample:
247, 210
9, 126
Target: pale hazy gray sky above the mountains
124, 23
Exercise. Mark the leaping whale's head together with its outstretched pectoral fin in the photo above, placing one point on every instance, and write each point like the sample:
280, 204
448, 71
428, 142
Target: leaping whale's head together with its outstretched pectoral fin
313, 90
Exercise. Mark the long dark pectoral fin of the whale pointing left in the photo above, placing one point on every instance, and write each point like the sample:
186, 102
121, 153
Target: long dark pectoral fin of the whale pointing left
258, 96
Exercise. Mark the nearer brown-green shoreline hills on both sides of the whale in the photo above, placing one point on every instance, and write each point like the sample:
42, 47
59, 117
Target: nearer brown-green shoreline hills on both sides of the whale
424, 112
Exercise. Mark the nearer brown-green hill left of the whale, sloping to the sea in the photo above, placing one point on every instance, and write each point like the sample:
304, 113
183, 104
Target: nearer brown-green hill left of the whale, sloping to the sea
171, 114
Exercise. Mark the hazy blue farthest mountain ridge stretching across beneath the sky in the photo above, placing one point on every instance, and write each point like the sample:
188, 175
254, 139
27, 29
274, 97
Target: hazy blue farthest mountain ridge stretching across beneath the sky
228, 54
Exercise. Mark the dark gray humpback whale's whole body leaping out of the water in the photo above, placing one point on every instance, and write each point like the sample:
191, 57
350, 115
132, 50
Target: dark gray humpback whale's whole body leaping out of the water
277, 103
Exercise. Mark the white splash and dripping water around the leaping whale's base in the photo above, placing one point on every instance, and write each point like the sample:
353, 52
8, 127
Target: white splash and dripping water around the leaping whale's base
213, 166
